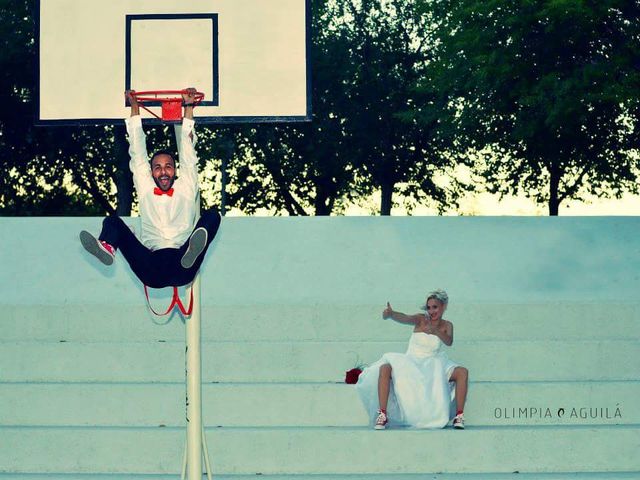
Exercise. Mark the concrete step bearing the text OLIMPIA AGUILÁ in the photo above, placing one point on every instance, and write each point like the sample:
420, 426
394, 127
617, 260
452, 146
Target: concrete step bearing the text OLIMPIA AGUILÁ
306, 405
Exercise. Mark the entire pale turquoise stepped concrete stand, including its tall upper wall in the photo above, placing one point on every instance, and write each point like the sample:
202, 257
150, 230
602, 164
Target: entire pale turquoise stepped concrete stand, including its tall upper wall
91, 387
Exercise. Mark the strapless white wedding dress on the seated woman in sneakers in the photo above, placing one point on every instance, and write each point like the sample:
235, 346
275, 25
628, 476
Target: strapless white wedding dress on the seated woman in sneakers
421, 395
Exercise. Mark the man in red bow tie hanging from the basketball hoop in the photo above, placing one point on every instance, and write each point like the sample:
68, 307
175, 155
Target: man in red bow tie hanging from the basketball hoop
172, 245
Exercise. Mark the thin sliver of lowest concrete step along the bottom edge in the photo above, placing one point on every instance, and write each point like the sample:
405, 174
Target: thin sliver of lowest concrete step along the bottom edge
369, 476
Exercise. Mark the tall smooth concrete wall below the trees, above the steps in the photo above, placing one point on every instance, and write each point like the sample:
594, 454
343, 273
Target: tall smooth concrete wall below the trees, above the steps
348, 261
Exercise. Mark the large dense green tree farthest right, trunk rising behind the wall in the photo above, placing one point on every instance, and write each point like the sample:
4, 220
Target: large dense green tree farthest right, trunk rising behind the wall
544, 84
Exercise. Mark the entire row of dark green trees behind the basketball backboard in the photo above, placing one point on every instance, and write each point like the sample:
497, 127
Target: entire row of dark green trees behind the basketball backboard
401, 92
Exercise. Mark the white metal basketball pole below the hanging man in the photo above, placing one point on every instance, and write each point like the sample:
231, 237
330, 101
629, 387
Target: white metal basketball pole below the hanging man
194, 388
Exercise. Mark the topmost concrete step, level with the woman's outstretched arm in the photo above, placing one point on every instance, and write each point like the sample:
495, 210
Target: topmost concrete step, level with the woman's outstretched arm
113, 322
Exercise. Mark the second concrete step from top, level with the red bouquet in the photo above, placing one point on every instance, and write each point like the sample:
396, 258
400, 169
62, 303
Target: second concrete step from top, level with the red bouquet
310, 361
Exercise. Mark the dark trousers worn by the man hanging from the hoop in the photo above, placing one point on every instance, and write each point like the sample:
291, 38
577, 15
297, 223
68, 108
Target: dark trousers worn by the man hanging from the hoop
157, 268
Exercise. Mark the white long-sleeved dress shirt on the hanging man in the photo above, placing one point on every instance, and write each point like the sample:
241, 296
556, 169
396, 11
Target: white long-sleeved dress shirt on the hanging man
167, 221
